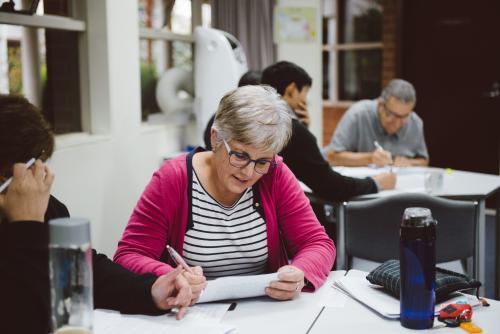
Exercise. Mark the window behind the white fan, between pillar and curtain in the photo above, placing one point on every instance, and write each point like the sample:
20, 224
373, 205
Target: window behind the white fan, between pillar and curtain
166, 41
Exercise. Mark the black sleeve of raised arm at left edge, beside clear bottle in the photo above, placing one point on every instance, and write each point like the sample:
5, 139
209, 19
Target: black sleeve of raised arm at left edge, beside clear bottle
24, 277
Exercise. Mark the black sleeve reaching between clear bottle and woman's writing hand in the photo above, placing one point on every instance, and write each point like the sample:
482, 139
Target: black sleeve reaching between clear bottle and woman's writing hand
116, 288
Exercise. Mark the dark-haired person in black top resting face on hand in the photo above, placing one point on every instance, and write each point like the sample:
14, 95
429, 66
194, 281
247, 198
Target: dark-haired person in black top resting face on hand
302, 153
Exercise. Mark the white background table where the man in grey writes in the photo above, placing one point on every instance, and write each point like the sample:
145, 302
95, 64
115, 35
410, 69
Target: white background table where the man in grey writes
456, 185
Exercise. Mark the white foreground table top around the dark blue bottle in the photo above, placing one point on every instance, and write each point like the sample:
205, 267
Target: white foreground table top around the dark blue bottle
342, 314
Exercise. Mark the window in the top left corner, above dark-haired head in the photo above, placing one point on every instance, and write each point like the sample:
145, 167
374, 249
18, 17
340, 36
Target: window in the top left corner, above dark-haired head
42, 56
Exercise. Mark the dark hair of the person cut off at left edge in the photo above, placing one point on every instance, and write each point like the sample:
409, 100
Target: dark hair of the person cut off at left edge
24, 133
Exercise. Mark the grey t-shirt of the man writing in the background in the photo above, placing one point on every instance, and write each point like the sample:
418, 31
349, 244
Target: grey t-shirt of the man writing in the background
360, 127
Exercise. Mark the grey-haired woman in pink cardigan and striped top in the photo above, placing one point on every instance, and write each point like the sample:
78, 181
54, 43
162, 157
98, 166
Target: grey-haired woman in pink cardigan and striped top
235, 210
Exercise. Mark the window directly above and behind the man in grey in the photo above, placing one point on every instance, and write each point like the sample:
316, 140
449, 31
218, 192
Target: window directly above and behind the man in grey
352, 50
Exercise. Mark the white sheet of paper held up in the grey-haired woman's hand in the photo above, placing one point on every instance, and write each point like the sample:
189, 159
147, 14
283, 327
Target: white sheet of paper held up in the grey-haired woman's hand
235, 287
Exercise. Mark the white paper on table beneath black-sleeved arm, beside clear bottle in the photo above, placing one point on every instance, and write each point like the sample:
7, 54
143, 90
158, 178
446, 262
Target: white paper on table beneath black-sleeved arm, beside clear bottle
199, 319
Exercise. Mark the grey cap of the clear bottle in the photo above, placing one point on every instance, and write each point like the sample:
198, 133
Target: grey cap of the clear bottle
69, 232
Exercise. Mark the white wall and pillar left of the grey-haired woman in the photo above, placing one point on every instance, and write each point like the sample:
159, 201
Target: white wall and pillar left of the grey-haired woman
101, 176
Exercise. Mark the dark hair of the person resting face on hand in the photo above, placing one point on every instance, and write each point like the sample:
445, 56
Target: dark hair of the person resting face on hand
283, 73
